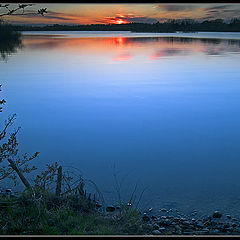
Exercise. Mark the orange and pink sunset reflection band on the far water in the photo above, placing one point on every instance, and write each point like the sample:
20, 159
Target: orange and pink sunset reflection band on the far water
150, 47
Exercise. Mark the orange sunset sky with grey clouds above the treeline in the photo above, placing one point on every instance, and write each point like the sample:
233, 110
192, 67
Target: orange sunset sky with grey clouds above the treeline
122, 13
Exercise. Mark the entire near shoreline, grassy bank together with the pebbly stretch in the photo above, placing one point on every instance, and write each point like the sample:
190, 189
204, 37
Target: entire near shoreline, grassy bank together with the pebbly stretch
38, 212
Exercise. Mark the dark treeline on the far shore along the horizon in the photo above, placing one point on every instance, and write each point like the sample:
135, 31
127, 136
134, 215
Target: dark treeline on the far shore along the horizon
186, 25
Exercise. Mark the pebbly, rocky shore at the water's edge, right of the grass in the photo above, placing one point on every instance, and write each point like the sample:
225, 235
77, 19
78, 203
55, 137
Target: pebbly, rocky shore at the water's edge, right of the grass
172, 222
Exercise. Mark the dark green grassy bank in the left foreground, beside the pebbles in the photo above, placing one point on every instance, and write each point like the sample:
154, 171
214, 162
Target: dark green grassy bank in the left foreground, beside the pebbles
40, 212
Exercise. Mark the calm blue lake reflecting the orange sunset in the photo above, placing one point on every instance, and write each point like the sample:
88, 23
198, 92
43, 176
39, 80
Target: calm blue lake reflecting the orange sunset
160, 111
